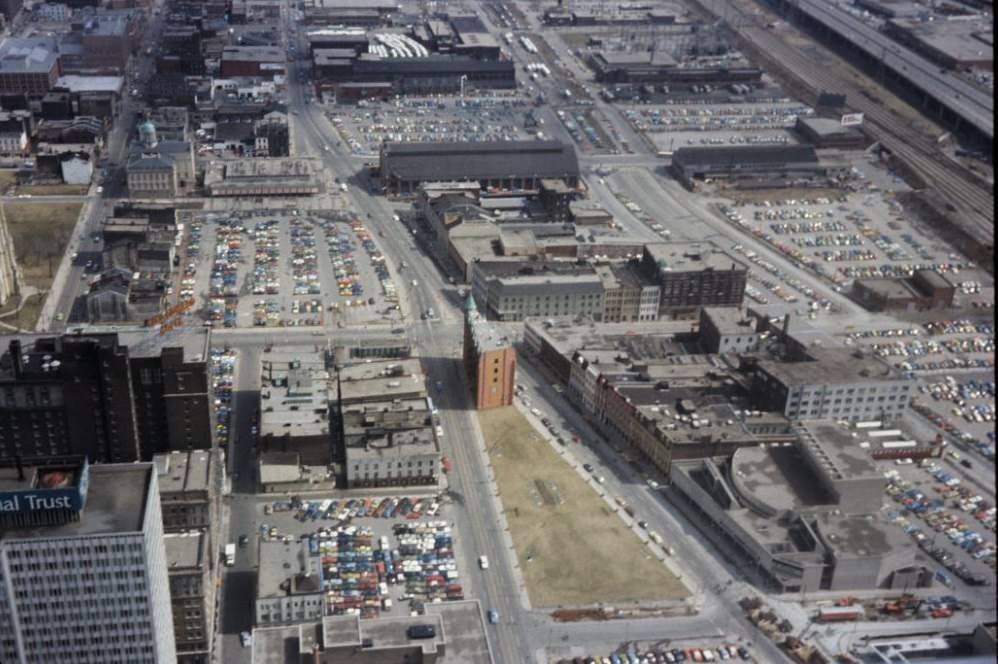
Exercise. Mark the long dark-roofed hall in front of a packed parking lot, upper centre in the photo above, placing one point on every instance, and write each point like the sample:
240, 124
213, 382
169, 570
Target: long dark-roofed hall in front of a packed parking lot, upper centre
504, 165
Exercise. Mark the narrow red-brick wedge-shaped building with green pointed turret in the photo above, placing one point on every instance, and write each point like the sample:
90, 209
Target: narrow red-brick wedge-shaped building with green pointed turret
489, 360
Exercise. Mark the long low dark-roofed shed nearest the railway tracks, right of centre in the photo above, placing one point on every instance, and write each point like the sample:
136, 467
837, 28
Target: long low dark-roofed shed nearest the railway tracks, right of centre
771, 165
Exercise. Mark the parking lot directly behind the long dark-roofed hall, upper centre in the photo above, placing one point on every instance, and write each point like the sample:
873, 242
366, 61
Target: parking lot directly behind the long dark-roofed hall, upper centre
498, 117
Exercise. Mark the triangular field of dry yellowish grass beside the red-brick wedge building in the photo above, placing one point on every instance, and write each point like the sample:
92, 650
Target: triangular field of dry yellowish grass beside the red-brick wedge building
573, 550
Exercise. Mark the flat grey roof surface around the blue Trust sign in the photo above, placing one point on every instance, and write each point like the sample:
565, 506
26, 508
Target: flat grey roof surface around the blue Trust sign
116, 503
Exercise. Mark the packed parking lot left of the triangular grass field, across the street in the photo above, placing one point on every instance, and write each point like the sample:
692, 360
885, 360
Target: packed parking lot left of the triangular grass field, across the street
379, 554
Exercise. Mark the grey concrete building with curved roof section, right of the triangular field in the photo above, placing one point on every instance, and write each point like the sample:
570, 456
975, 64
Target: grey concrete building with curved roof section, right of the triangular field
805, 516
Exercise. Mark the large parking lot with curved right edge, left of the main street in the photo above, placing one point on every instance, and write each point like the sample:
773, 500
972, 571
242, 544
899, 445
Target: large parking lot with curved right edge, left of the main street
280, 268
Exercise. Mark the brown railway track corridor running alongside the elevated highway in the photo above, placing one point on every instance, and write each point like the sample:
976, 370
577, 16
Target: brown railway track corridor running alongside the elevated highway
972, 199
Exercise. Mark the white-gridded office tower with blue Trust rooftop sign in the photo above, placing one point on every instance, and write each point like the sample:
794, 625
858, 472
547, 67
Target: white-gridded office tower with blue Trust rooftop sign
83, 573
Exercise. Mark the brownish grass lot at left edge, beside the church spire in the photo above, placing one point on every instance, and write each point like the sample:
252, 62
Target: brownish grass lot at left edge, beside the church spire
40, 232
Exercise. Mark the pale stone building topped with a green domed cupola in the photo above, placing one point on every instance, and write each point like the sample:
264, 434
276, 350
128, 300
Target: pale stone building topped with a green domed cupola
159, 169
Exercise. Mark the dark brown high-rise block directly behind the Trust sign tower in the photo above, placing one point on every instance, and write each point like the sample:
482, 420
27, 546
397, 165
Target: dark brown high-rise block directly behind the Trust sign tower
109, 397
